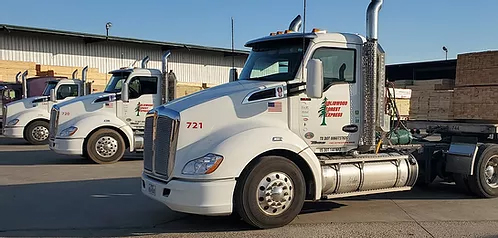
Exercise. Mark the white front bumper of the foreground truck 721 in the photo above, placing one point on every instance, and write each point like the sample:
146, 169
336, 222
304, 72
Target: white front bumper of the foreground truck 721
196, 197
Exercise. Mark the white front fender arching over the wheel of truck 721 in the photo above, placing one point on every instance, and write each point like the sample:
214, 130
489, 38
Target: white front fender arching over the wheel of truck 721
237, 155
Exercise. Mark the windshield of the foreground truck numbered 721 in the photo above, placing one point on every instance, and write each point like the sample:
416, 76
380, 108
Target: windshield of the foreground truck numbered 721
274, 61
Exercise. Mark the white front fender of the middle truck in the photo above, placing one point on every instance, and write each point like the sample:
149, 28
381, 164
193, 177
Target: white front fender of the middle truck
88, 123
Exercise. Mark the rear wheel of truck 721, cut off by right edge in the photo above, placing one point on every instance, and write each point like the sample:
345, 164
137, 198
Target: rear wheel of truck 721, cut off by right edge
484, 182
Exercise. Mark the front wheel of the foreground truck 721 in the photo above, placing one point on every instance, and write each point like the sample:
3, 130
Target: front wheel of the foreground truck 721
270, 193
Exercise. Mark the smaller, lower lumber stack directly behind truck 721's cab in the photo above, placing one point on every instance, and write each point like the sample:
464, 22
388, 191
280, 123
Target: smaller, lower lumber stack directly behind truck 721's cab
430, 99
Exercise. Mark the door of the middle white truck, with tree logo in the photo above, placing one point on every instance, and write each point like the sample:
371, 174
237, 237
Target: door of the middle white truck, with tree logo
142, 91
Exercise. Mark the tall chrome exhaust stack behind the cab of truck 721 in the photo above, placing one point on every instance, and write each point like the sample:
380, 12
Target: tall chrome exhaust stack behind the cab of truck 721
370, 67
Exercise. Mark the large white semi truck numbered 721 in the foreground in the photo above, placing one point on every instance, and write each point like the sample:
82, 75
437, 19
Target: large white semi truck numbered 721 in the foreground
307, 120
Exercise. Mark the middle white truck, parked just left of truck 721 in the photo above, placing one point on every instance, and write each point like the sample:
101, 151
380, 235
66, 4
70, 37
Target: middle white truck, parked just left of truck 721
101, 126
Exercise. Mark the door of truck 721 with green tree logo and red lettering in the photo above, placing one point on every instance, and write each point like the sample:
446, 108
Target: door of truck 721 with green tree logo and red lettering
331, 124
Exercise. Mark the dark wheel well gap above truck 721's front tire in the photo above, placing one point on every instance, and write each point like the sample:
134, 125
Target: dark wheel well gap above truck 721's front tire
299, 161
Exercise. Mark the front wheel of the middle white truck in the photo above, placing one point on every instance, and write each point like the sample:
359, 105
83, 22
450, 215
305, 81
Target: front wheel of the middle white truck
105, 146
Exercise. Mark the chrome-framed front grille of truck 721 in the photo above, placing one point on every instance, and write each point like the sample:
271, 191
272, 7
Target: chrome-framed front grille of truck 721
160, 141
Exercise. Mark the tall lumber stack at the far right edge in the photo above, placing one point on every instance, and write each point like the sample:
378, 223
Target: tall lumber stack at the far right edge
476, 92
